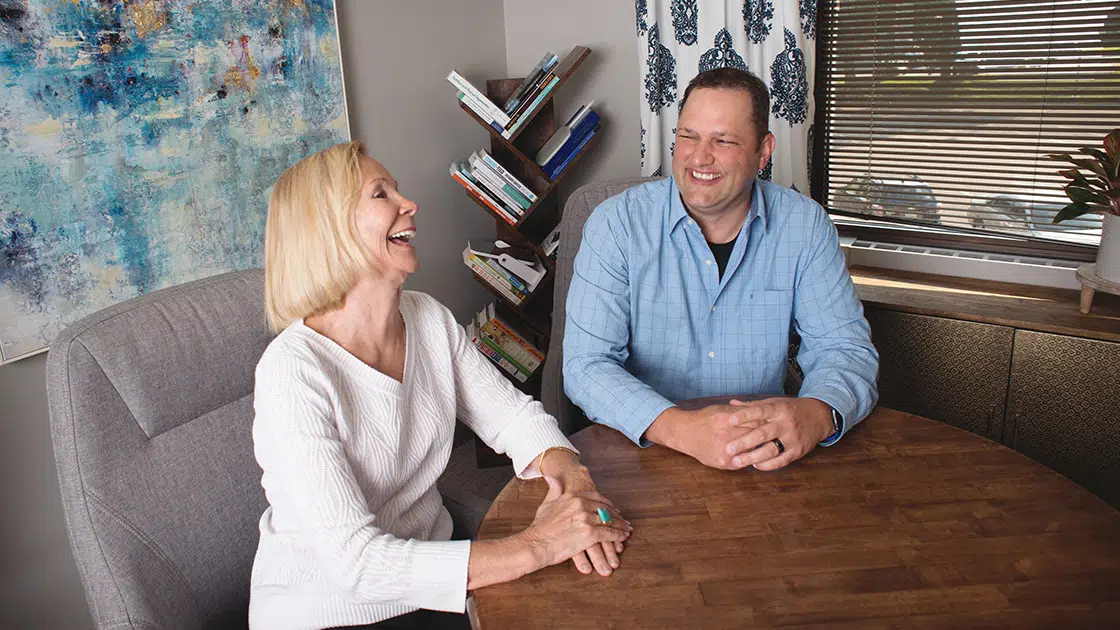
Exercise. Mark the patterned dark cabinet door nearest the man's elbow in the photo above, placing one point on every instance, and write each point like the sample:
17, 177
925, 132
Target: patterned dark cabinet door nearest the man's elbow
947, 370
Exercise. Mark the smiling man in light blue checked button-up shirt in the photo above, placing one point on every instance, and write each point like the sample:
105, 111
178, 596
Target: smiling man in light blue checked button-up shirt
690, 286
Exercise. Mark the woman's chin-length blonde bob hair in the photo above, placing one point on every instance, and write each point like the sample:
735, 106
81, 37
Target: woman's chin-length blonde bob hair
313, 255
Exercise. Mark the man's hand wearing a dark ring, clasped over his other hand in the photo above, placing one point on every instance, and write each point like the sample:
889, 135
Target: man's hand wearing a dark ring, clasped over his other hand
799, 423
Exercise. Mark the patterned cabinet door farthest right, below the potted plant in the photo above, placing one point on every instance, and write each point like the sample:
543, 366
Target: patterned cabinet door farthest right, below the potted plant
1065, 409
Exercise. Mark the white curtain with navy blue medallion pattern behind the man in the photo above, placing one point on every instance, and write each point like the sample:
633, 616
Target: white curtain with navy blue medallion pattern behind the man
776, 40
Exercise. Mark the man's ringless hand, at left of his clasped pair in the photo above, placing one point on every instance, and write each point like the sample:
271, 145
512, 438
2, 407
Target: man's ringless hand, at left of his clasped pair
704, 434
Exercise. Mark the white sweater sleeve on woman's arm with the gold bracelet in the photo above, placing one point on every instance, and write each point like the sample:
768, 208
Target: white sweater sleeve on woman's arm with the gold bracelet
507, 420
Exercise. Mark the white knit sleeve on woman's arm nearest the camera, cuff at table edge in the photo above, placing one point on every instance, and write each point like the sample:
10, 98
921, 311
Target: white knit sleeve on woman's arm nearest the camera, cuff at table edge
309, 478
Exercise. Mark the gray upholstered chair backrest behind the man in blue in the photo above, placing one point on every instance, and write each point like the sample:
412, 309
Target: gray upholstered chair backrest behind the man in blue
577, 209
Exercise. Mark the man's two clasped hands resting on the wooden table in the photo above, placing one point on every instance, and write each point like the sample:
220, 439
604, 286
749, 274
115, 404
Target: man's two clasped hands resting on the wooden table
741, 434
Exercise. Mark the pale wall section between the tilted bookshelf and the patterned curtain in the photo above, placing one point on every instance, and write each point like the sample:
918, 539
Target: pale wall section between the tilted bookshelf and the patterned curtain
610, 76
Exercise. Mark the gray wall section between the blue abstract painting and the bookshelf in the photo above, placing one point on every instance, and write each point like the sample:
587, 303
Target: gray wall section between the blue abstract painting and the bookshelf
404, 109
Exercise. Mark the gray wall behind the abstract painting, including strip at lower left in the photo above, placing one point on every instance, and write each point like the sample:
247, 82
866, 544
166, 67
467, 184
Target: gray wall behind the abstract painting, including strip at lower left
396, 55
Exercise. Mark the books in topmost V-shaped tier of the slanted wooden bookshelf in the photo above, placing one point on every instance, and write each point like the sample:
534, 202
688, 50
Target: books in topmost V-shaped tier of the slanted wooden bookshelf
518, 109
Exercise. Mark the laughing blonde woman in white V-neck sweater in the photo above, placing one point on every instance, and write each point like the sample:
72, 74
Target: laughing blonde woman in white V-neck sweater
357, 401
